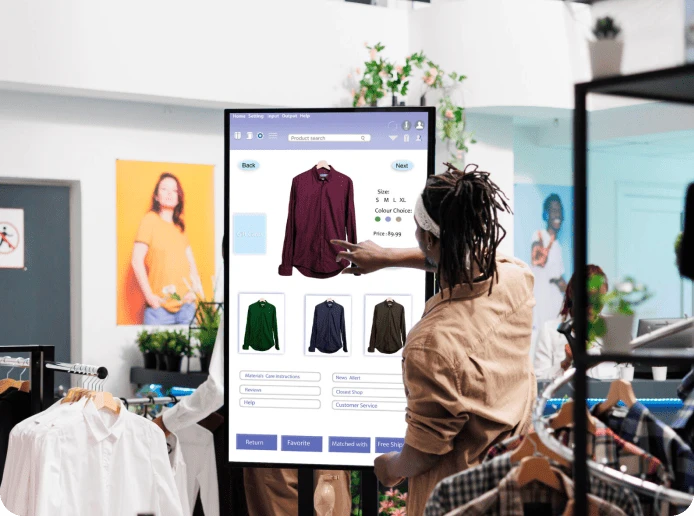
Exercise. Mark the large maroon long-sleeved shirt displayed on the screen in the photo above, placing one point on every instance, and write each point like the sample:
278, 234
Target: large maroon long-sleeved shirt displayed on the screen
321, 208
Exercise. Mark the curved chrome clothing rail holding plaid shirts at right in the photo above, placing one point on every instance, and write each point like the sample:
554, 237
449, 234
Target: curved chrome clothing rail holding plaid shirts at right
659, 493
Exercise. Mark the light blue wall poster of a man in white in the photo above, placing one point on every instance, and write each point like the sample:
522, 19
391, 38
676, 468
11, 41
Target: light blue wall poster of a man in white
543, 239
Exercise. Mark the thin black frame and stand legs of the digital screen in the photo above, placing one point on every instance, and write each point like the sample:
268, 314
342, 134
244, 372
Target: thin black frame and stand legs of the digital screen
369, 485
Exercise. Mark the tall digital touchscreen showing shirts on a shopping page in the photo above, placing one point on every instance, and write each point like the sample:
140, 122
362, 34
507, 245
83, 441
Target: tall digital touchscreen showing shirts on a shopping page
314, 357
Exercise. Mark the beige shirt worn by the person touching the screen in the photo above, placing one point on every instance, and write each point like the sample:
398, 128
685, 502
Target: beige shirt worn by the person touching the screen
468, 375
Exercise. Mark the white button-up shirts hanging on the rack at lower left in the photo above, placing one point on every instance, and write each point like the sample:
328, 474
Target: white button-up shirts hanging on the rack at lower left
74, 460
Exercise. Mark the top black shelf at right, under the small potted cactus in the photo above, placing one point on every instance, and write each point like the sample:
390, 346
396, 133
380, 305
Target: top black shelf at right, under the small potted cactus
669, 84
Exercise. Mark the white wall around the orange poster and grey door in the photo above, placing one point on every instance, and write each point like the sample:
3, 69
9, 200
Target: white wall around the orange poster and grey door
78, 140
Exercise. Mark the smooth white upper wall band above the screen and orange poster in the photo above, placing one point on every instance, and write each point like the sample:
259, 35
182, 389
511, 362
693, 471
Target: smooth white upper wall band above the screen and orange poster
271, 52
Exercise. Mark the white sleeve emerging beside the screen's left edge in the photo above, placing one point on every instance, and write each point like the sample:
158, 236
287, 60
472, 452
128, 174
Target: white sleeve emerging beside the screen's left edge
207, 398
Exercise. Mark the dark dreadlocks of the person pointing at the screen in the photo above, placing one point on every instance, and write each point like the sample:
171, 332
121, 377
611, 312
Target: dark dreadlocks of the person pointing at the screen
466, 205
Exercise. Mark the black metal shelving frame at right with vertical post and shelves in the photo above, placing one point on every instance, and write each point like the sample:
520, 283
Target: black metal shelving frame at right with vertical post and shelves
670, 85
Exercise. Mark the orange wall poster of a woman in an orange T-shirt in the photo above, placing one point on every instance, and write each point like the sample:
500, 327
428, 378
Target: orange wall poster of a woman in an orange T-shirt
165, 239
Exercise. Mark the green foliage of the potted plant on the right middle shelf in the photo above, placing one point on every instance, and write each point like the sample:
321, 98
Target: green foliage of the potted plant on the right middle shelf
619, 301
